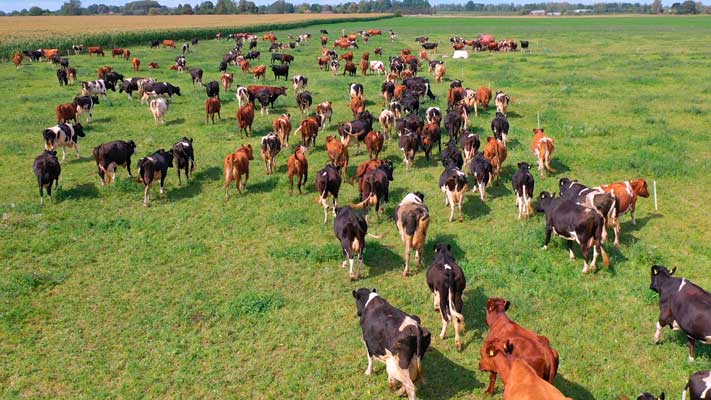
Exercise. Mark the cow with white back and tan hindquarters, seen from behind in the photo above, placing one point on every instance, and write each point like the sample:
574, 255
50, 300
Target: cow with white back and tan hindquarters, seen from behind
412, 219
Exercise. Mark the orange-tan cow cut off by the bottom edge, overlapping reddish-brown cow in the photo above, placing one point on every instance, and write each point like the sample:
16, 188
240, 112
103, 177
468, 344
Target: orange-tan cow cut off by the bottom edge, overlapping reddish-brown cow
520, 379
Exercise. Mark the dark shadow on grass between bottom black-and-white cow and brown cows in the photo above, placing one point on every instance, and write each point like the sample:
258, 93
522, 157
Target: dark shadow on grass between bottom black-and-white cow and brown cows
445, 378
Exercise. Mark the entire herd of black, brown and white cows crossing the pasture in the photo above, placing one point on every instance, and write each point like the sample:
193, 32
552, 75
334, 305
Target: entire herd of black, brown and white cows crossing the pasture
526, 362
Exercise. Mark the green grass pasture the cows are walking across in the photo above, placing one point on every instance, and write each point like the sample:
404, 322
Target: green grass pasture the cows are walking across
195, 297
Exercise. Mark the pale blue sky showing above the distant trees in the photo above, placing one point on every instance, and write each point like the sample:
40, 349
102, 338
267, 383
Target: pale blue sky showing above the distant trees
10, 5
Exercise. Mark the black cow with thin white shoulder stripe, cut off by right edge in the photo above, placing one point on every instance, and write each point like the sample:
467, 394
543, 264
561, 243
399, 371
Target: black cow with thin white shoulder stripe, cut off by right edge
682, 306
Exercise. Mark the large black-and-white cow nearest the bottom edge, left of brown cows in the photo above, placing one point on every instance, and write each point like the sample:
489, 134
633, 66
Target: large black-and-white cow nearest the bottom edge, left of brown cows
393, 337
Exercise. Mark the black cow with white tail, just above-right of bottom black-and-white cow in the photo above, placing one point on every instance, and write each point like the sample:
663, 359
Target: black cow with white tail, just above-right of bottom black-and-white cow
447, 282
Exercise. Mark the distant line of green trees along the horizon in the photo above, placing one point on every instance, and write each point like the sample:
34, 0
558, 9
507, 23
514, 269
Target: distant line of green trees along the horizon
152, 7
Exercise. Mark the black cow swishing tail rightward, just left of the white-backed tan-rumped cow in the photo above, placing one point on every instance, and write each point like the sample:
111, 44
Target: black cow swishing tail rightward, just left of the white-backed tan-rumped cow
350, 228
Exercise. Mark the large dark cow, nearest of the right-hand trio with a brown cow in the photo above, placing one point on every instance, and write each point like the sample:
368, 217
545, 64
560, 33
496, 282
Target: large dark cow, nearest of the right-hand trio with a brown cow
574, 222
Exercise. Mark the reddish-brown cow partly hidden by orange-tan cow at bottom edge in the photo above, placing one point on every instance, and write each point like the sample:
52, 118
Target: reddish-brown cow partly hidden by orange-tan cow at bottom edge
528, 346
